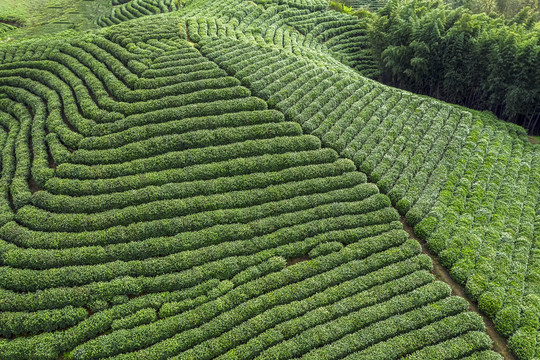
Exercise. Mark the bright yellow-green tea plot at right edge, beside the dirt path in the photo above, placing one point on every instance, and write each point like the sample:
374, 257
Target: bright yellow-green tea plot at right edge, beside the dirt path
487, 230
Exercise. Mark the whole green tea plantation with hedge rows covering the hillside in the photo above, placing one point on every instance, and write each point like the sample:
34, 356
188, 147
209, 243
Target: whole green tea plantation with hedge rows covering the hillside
222, 180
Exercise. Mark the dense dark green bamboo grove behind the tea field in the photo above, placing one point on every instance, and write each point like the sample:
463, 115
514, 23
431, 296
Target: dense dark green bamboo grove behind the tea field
475, 60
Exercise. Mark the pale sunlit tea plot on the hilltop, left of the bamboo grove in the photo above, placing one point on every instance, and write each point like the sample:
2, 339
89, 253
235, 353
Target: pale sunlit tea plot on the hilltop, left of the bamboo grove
323, 35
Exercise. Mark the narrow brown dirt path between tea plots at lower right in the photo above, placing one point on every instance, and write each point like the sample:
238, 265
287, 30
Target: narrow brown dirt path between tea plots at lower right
500, 344
